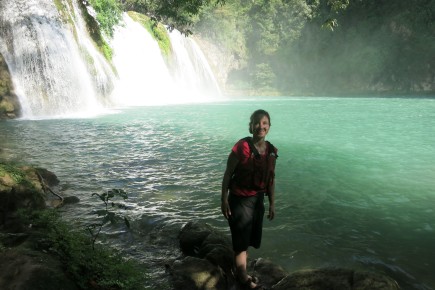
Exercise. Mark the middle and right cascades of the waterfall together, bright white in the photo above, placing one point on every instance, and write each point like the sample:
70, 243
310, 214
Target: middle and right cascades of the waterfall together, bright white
145, 78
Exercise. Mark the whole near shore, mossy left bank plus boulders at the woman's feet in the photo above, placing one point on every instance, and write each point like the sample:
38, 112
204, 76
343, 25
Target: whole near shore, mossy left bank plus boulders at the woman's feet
41, 251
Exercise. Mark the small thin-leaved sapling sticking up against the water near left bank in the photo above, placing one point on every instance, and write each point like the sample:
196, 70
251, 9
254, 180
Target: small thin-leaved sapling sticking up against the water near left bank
110, 212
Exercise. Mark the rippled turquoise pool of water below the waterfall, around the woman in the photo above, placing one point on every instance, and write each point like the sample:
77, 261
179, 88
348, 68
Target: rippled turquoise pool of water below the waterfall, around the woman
355, 177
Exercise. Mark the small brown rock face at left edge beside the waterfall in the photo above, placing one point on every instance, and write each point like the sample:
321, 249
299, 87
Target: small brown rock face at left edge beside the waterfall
9, 105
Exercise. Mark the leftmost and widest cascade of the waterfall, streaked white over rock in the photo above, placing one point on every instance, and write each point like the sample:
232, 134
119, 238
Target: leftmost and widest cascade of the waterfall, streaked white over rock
46, 64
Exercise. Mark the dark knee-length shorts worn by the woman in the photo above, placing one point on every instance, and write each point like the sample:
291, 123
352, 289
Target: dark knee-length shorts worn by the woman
246, 221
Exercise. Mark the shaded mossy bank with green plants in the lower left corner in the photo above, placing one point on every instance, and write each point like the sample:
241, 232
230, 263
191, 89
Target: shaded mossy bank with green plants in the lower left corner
41, 251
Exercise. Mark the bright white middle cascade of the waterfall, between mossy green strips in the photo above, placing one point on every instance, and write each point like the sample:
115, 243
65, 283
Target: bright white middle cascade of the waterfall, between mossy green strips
144, 78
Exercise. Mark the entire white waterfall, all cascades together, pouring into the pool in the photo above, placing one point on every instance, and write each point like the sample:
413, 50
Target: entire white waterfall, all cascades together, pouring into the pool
57, 71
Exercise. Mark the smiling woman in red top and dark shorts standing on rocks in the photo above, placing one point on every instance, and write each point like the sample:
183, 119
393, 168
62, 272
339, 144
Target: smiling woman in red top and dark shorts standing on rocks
248, 177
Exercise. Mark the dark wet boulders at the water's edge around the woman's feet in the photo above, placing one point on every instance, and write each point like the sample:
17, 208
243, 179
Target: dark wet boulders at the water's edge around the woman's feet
207, 263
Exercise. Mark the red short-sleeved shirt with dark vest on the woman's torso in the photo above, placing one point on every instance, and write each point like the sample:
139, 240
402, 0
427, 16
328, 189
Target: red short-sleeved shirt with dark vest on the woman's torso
251, 173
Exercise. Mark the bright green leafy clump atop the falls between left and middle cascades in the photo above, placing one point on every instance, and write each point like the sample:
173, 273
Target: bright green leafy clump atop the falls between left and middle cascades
109, 14
